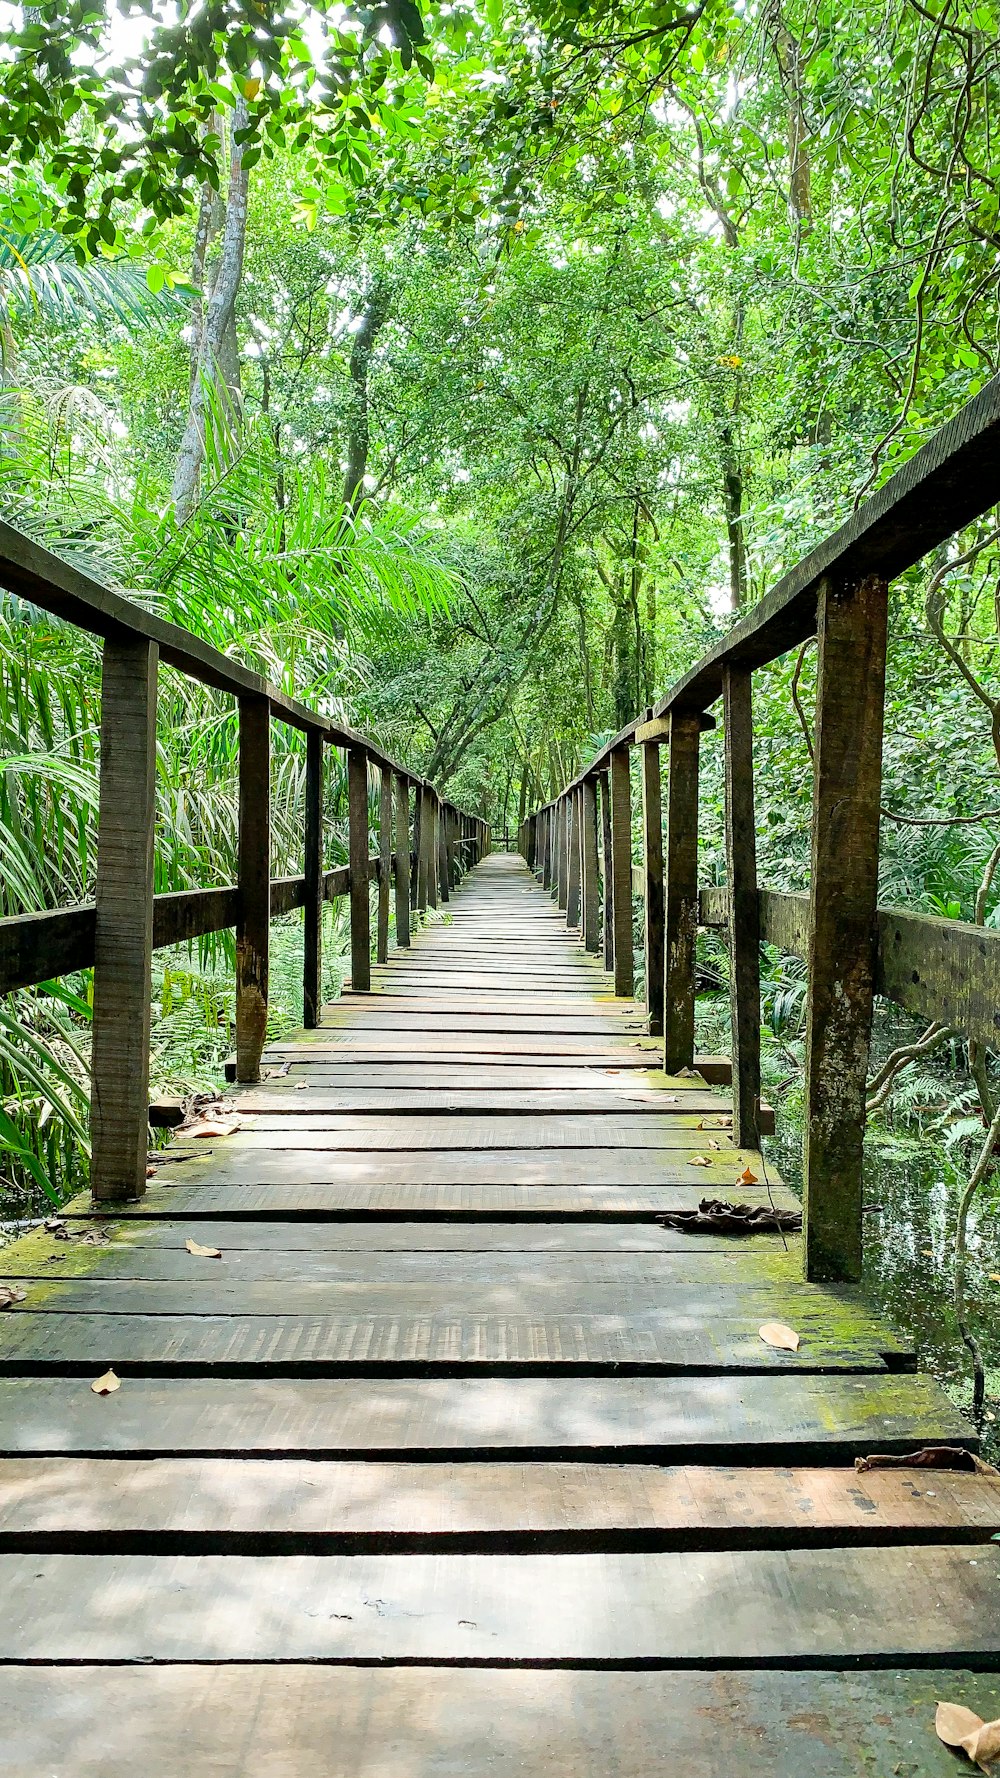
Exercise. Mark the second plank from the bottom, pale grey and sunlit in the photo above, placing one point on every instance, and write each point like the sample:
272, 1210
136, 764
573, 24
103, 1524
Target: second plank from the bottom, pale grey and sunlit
816, 1608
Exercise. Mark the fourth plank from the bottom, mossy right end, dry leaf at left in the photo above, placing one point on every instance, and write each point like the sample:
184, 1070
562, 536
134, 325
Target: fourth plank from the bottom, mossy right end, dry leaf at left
722, 1420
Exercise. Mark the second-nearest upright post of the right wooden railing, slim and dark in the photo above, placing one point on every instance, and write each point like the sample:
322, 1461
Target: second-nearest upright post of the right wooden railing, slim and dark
745, 906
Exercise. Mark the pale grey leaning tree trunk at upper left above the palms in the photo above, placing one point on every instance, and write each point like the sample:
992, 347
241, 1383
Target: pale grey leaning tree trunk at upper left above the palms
218, 346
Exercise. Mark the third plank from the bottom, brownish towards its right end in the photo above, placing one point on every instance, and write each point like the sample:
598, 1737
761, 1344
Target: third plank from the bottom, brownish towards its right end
282, 1507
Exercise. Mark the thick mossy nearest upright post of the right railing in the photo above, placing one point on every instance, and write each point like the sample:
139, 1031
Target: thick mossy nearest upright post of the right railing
851, 625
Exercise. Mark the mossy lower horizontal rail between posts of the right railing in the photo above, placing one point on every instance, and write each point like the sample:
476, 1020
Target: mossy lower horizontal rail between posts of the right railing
937, 970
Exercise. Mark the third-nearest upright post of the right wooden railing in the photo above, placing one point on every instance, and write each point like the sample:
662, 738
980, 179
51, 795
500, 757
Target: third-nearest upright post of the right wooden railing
681, 892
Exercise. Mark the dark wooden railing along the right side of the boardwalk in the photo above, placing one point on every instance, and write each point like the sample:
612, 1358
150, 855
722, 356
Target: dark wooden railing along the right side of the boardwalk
935, 968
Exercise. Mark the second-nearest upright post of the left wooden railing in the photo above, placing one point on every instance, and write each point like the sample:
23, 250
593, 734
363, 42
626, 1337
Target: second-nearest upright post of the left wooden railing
255, 886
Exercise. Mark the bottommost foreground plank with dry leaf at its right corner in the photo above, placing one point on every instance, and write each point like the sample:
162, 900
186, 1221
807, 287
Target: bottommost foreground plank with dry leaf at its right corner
506, 1722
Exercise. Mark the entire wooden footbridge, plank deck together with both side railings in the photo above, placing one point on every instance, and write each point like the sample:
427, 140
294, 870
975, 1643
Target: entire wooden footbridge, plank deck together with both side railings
410, 1370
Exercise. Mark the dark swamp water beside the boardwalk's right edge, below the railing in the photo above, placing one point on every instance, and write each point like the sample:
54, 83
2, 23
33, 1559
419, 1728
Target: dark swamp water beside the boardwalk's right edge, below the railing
910, 1242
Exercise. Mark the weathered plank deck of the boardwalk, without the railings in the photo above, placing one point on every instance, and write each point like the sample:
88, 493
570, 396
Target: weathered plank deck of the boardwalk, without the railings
453, 1397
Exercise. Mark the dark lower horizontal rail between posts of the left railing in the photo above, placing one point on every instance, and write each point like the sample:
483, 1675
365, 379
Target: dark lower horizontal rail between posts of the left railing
42, 947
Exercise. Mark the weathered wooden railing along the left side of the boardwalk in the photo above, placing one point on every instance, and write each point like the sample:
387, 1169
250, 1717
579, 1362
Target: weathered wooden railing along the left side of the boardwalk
421, 856
